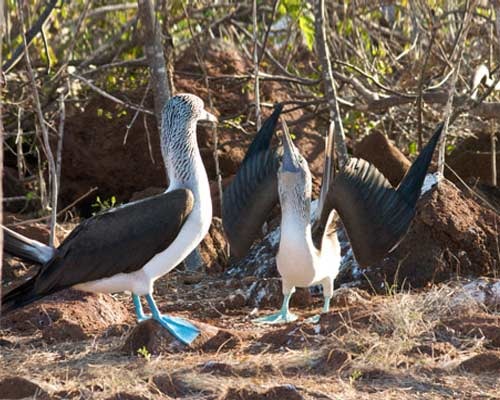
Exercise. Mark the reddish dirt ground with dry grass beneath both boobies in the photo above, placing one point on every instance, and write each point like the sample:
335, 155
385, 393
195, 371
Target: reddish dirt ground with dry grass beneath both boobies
441, 343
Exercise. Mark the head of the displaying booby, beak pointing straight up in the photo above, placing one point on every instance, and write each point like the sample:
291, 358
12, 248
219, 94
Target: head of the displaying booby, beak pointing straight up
294, 177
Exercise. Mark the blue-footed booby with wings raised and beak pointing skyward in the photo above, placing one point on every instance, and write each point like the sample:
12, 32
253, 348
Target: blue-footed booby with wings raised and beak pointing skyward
375, 215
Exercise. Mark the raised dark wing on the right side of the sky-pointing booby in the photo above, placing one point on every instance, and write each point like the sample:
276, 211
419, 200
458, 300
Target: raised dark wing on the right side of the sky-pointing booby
375, 215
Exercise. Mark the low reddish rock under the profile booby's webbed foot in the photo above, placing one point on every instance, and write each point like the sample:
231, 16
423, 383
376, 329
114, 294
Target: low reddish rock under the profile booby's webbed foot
157, 340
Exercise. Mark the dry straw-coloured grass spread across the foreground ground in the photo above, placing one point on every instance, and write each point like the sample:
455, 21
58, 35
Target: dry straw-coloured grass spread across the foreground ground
382, 362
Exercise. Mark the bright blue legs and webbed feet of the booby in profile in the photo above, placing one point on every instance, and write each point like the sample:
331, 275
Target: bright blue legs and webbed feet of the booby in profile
182, 330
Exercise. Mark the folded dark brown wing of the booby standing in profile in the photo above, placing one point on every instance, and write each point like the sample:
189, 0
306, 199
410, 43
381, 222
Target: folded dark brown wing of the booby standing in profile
123, 239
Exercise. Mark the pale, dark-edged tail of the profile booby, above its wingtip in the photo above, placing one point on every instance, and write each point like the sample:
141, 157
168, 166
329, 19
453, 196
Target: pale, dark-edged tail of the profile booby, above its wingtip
27, 249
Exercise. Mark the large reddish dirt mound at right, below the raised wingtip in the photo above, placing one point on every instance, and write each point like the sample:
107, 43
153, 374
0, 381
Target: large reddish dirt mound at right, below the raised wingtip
452, 235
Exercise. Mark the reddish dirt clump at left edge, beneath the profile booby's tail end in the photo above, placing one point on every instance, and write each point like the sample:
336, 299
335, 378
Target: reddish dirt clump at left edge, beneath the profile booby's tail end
68, 315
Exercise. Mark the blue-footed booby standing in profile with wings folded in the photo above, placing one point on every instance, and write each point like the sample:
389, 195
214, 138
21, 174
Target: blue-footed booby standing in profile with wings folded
129, 247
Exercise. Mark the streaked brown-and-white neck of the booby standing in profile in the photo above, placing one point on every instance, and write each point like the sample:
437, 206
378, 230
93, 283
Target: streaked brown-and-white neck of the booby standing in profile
183, 161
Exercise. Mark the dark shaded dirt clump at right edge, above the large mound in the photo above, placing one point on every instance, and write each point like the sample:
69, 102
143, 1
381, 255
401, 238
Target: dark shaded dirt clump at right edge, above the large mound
471, 159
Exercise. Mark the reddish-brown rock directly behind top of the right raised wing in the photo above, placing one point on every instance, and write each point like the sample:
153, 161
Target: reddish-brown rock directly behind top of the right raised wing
388, 159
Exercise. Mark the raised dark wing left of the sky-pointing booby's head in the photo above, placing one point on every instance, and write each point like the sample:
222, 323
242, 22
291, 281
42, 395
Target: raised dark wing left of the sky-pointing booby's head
252, 194
